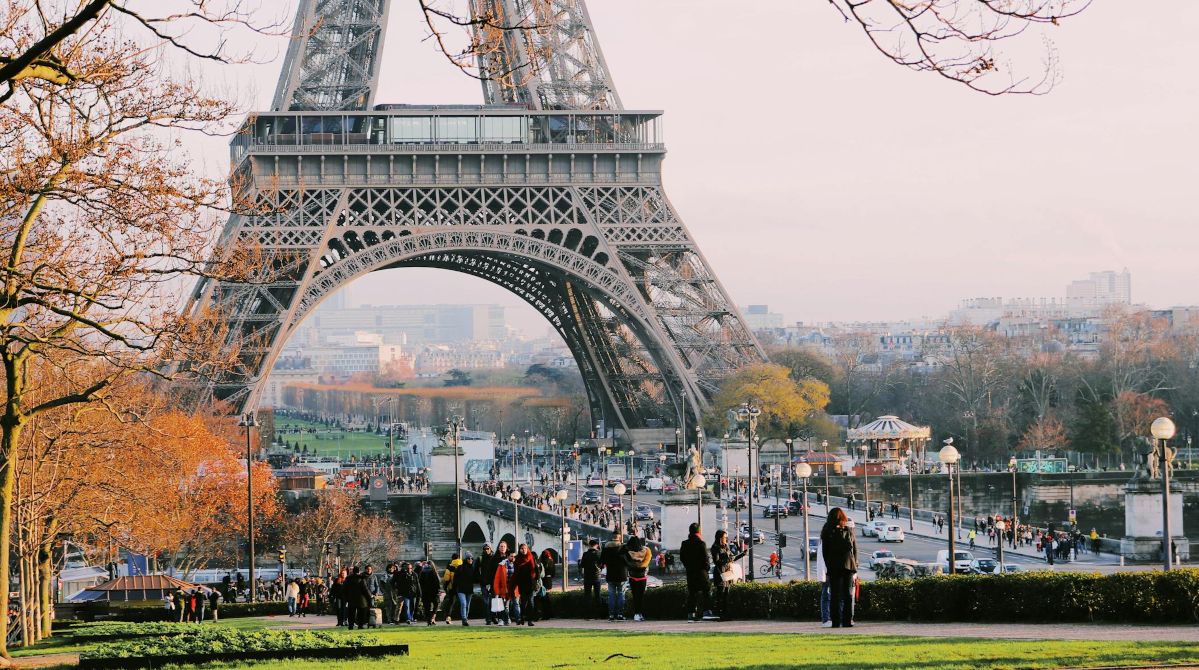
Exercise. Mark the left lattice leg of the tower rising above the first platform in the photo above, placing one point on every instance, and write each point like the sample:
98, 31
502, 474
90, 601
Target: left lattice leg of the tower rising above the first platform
333, 62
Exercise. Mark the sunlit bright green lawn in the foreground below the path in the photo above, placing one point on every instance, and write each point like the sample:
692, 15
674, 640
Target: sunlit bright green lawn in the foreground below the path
457, 648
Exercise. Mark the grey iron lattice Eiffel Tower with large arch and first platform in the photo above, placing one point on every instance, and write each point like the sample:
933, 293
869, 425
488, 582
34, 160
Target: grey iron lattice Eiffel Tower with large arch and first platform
551, 190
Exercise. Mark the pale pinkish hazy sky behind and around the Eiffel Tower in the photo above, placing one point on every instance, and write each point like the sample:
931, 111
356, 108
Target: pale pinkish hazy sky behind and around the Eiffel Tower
833, 185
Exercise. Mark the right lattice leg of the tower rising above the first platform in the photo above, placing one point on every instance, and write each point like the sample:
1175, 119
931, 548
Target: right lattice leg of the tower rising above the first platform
541, 53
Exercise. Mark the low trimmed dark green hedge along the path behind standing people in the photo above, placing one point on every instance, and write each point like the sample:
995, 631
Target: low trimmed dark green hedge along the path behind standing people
1160, 597
